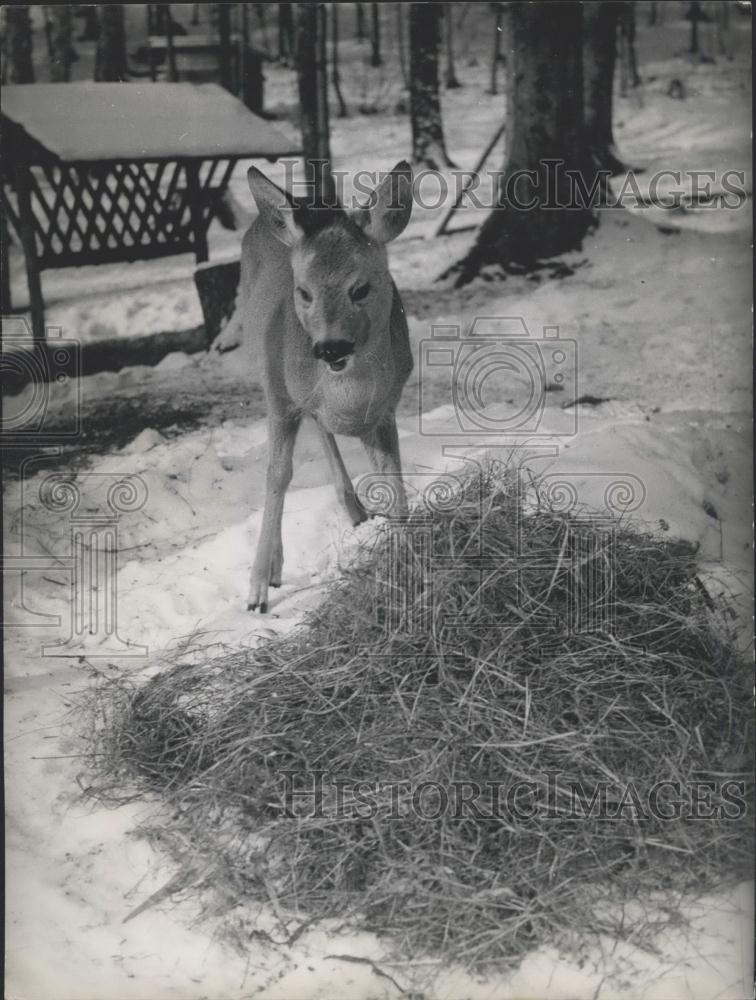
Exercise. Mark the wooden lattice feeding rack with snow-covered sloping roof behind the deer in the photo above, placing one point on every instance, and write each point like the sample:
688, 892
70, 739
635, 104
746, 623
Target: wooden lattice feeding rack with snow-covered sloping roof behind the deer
96, 173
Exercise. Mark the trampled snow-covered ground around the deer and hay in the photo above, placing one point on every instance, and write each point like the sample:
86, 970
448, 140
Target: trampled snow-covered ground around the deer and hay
662, 325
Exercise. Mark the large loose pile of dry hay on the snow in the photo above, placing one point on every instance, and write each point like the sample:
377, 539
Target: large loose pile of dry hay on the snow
449, 658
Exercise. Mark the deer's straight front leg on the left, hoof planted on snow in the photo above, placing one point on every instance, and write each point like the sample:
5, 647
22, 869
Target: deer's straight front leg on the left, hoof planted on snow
266, 569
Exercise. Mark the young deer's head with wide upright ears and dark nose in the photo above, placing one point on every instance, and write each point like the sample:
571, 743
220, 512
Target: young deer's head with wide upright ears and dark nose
343, 291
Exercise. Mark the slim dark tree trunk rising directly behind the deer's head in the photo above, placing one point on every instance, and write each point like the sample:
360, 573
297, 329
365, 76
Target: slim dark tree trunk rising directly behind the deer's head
313, 100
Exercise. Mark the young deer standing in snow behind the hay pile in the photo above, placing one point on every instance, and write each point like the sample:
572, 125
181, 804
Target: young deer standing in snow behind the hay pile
326, 332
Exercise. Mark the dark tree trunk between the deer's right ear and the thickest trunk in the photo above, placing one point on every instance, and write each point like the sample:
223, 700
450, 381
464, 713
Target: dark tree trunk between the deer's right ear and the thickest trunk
428, 144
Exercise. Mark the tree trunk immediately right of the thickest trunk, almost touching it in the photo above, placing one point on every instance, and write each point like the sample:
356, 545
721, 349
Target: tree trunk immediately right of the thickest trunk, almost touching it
600, 20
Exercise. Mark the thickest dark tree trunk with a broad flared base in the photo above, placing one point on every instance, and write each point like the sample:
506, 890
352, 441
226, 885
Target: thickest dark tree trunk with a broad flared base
539, 214
